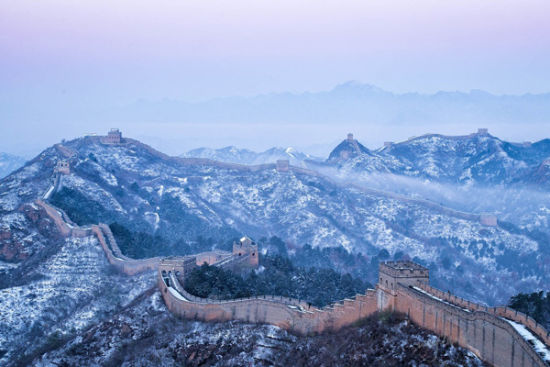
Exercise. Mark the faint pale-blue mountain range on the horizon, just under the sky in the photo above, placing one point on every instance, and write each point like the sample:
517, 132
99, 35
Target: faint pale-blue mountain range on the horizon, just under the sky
351, 102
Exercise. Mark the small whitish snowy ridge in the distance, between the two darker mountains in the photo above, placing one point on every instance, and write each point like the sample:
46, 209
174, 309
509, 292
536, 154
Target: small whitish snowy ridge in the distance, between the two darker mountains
233, 154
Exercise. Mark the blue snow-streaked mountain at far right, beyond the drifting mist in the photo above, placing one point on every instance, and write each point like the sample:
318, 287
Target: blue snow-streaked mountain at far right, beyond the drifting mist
478, 158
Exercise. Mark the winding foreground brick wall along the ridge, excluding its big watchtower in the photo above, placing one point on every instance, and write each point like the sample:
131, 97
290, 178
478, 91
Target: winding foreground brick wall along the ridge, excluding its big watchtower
484, 331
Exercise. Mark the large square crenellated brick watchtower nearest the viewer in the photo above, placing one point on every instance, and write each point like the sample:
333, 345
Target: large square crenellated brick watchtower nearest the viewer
392, 273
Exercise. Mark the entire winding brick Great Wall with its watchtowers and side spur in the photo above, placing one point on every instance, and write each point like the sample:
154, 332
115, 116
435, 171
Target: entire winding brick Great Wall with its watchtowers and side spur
499, 336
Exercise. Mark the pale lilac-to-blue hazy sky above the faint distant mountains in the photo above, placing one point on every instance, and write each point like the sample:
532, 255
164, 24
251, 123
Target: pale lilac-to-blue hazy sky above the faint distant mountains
104, 51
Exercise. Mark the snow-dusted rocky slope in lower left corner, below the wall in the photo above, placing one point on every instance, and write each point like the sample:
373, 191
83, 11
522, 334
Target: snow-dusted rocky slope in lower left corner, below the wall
59, 291
